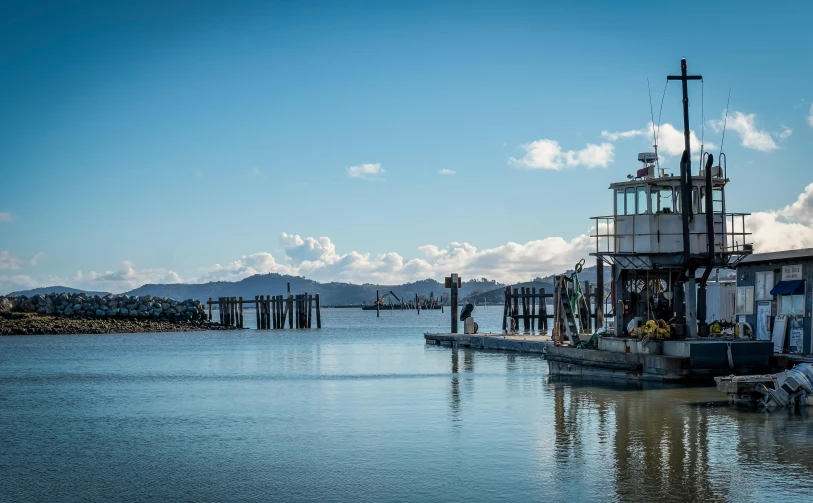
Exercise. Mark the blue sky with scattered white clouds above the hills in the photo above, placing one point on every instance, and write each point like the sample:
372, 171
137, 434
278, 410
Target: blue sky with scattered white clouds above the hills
155, 142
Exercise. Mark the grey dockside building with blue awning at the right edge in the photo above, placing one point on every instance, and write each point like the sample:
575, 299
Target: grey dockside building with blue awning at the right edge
776, 287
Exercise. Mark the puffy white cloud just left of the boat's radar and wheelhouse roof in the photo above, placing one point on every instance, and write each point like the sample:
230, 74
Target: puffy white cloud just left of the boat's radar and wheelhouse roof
548, 154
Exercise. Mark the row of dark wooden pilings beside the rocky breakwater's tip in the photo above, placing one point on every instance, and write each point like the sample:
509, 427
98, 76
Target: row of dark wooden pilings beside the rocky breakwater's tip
272, 311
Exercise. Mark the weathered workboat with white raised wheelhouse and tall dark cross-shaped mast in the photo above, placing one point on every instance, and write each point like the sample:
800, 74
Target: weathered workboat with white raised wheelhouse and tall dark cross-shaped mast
666, 234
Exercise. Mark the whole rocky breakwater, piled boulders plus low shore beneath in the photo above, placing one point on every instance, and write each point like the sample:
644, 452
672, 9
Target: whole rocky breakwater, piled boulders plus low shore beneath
62, 313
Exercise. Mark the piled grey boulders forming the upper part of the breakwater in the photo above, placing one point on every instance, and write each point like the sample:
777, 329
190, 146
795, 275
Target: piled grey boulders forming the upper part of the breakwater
110, 306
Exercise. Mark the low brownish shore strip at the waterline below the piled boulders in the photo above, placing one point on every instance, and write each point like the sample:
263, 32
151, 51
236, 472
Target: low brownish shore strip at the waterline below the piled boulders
37, 324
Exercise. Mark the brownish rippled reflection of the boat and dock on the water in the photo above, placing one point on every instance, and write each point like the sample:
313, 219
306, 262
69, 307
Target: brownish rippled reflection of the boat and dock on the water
666, 445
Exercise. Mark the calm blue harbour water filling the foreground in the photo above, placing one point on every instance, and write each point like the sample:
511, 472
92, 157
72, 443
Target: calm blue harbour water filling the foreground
364, 411
